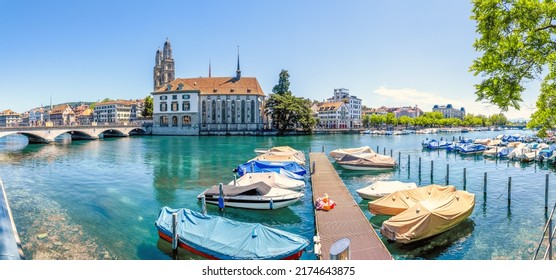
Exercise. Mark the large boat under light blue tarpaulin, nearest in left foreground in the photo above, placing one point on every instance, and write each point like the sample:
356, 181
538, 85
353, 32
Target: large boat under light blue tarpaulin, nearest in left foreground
215, 237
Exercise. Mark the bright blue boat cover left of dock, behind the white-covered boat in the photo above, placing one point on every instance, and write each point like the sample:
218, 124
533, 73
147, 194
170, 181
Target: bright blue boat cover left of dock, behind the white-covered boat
290, 169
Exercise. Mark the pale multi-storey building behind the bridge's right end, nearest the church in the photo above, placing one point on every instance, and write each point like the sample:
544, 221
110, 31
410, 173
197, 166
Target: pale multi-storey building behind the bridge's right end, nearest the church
114, 111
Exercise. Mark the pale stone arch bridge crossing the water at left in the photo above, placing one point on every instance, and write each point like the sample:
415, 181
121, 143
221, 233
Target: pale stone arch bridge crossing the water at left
48, 134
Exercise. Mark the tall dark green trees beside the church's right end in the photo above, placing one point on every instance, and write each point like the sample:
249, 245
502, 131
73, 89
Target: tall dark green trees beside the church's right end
286, 110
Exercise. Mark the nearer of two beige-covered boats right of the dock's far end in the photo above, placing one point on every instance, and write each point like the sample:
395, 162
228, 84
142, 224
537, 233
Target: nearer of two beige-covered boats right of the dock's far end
367, 161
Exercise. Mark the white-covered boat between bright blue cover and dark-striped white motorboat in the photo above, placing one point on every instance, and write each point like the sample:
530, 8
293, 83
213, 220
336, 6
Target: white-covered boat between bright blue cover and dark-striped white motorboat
272, 179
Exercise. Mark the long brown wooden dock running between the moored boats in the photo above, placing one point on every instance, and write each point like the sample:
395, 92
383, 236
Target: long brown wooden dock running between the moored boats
346, 219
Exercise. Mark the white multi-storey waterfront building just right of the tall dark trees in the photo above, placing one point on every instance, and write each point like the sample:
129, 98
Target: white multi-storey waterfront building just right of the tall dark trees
334, 115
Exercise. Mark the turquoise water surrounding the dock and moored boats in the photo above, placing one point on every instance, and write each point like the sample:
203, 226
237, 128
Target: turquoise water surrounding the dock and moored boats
99, 199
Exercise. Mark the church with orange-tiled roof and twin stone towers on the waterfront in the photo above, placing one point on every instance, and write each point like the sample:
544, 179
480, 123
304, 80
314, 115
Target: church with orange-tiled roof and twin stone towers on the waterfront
204, 105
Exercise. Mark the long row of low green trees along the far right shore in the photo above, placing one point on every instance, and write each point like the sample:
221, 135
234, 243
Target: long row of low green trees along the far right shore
432, 119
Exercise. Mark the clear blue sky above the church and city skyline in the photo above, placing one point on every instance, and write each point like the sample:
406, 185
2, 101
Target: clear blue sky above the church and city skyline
393, 53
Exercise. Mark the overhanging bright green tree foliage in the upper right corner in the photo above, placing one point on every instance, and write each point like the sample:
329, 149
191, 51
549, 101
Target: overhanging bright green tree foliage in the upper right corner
517, 44
